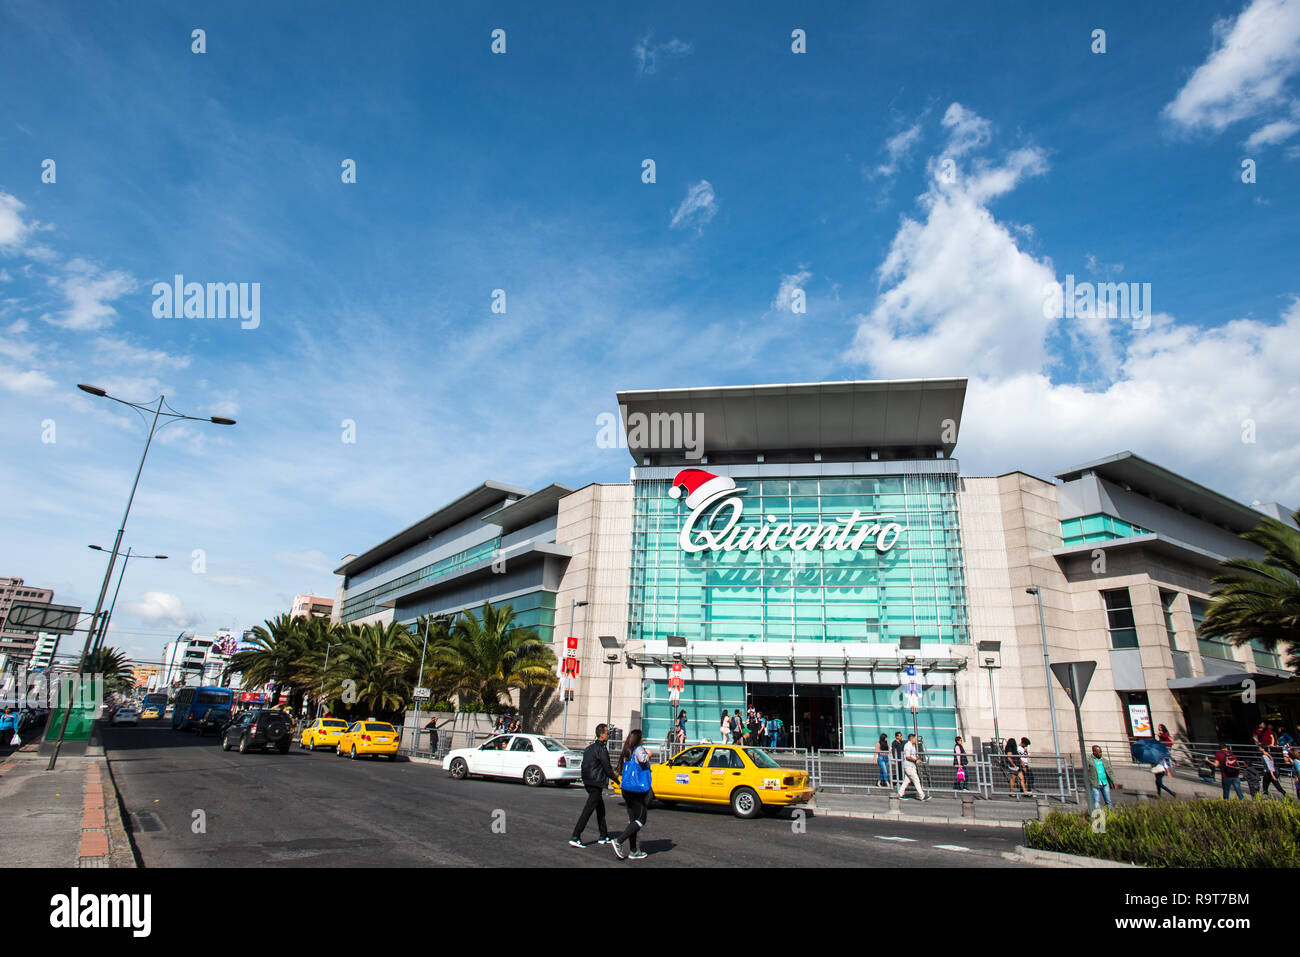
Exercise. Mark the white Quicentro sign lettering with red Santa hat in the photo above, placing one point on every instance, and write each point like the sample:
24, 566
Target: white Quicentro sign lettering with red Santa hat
714, 499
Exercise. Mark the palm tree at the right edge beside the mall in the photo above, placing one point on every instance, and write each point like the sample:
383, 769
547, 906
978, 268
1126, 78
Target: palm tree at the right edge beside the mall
1262, 600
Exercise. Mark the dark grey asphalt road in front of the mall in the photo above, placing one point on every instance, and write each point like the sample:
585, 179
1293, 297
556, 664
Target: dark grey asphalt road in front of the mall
190, 804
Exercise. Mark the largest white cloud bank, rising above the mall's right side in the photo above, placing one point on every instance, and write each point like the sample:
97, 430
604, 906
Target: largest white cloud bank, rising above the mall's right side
960, 298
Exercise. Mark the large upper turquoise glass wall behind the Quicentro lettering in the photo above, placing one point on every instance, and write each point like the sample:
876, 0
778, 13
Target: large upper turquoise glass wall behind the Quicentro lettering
917, 588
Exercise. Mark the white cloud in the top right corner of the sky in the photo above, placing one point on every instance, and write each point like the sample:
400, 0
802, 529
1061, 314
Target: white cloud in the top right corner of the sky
1247, 71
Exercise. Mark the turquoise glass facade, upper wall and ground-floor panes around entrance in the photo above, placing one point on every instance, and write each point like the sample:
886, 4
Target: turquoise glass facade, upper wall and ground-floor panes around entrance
817, 596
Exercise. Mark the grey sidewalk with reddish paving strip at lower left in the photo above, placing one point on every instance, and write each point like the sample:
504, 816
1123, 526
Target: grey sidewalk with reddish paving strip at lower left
62, 819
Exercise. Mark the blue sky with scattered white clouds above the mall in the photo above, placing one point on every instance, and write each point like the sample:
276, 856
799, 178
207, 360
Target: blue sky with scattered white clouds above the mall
774, 171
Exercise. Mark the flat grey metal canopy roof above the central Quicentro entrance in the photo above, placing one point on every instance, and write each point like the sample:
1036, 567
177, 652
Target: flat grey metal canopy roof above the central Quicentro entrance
887, 414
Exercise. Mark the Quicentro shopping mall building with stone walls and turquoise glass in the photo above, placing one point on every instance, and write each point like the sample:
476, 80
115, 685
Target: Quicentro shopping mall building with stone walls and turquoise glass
817, 542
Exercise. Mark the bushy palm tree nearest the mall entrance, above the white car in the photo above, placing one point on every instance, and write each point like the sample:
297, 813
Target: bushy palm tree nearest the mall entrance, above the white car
488, 656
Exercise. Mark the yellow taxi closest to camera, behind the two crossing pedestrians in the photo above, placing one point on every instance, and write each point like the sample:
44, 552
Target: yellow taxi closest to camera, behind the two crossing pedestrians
748, 780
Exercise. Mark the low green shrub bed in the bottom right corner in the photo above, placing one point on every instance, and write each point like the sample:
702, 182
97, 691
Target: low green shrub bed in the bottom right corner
1180, 834
